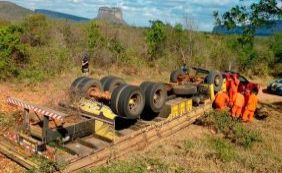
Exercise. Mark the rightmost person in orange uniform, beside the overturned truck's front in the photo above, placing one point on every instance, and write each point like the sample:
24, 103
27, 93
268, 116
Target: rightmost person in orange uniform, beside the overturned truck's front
250, 108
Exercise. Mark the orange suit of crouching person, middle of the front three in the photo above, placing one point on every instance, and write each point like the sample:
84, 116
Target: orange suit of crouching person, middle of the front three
239, 102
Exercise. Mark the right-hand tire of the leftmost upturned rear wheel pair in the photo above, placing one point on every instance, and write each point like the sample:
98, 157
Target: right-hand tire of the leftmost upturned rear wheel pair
86, 85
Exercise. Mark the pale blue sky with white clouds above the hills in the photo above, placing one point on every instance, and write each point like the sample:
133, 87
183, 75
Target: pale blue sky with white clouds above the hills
198, 13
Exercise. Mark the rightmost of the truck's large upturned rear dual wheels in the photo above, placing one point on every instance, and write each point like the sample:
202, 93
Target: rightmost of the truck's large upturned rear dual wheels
155, 97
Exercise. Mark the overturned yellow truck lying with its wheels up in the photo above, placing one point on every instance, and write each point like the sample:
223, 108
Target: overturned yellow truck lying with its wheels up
106, 119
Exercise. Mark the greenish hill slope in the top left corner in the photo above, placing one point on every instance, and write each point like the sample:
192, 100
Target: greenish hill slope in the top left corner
10, 11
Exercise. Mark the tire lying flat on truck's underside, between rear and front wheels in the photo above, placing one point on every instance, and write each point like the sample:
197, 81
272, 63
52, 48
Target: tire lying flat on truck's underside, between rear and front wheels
185, 90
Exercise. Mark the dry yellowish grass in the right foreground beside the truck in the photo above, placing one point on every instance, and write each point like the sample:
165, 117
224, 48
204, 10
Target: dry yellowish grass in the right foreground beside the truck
198, 149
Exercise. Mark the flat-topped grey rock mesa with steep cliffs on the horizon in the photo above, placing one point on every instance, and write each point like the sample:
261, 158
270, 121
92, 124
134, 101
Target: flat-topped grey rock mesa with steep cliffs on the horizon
113, 15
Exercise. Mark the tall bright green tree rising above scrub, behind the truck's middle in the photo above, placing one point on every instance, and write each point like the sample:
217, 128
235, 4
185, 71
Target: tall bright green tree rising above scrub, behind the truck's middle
156, 38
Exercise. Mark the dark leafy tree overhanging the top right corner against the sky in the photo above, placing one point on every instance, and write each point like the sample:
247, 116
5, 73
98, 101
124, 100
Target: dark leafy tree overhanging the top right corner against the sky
250, 17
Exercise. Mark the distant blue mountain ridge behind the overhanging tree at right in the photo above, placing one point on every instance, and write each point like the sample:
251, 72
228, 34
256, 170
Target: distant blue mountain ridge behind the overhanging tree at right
262, 31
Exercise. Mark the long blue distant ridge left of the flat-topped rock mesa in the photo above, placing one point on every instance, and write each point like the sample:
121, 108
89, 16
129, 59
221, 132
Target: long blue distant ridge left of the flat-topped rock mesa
58, 15
